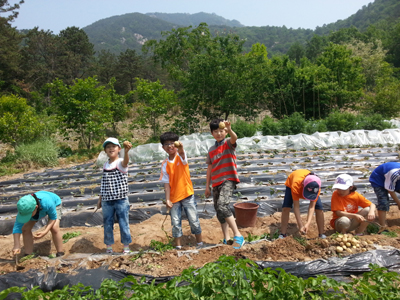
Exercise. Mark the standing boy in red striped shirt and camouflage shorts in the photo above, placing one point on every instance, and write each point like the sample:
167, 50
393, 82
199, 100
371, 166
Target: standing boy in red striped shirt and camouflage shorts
222, 173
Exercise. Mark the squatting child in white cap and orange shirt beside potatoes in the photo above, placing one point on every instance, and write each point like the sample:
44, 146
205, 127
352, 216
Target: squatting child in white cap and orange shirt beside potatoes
344, 205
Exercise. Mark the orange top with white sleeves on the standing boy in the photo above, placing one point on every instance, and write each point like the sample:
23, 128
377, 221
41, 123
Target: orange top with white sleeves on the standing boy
177, 173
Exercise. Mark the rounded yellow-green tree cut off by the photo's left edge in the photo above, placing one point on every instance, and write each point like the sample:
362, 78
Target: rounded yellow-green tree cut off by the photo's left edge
18, 121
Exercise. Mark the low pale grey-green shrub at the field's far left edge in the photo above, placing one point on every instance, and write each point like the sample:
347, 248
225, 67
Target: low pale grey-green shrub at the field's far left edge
43, 153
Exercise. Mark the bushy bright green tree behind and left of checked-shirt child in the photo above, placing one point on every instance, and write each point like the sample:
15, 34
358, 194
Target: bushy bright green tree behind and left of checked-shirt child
83, 107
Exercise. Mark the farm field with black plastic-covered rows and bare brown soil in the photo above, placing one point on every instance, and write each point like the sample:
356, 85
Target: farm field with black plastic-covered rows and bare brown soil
262, 174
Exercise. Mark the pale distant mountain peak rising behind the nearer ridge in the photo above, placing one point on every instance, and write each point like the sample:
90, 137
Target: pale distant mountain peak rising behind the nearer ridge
182, 19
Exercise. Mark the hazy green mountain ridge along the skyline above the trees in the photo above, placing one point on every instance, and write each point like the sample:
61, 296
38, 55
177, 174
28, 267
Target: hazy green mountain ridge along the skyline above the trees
119, 33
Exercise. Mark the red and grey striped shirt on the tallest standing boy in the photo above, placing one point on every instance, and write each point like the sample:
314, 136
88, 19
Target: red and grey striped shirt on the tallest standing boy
222, 157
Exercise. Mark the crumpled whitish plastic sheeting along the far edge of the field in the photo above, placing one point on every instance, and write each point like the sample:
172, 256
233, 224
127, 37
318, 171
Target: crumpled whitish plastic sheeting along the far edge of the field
198, 144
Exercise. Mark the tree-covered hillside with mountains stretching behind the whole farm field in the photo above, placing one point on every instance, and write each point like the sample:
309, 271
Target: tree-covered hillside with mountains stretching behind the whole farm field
144, 76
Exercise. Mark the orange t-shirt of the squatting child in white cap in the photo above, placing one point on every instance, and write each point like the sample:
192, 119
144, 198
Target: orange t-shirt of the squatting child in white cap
349, 203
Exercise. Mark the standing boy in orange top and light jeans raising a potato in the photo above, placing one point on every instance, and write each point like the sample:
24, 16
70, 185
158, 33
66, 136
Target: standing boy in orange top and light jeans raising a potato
178, 188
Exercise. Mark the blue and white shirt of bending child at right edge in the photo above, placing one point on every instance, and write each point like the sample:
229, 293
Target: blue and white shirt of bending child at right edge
386, 176
